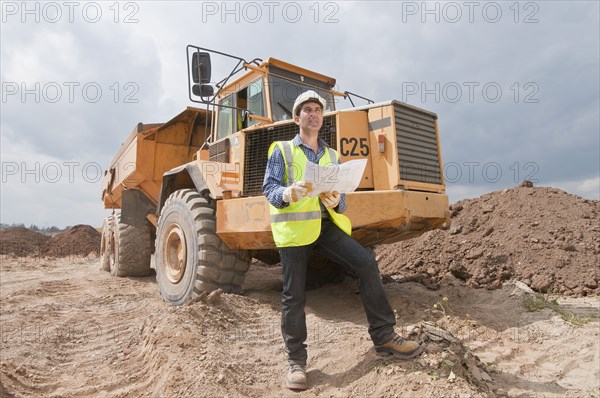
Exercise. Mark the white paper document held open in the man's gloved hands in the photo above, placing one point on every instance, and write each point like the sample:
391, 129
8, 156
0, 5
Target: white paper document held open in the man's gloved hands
343, 177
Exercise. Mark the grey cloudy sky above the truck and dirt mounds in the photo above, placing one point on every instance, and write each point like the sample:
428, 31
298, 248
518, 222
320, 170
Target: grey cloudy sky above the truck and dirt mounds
515, 84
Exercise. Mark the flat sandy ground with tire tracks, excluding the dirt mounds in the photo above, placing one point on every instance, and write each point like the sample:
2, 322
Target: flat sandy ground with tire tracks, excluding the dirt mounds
69, 329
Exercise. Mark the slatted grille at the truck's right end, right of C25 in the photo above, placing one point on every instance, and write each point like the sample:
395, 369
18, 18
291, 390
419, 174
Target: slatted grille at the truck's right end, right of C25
416, 139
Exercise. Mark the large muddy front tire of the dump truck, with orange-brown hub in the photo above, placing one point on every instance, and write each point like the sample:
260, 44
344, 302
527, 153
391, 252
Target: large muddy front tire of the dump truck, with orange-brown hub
190, 257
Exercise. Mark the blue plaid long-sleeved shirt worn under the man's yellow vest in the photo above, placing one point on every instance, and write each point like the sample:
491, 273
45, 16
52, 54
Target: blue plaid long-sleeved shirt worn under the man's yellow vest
273, 183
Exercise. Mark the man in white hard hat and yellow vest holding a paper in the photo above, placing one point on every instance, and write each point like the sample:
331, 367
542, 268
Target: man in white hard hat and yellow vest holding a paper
302, 224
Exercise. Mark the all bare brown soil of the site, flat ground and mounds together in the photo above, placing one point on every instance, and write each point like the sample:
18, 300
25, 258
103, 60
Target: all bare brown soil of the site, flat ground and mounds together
69, 329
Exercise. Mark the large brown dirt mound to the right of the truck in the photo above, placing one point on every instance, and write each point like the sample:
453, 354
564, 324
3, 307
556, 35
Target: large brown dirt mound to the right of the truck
544, 237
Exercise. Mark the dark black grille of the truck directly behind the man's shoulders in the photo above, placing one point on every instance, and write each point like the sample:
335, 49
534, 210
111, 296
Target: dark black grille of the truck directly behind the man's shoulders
258, 143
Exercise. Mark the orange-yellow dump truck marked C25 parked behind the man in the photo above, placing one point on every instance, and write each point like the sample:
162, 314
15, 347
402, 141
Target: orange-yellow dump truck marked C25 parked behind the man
190, 190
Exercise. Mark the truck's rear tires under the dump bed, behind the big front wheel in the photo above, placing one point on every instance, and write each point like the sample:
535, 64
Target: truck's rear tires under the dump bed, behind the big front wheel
129, 249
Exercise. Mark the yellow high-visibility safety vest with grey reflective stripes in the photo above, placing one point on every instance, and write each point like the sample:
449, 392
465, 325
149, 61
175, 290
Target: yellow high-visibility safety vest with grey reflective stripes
299, 224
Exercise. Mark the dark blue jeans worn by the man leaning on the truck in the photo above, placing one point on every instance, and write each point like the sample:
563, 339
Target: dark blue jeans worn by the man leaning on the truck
336, 246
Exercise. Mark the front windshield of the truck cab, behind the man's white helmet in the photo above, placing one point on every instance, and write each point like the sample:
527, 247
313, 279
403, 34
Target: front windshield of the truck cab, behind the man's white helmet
284, 93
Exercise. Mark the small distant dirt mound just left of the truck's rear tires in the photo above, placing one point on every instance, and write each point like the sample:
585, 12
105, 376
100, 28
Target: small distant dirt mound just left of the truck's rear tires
79, 240
